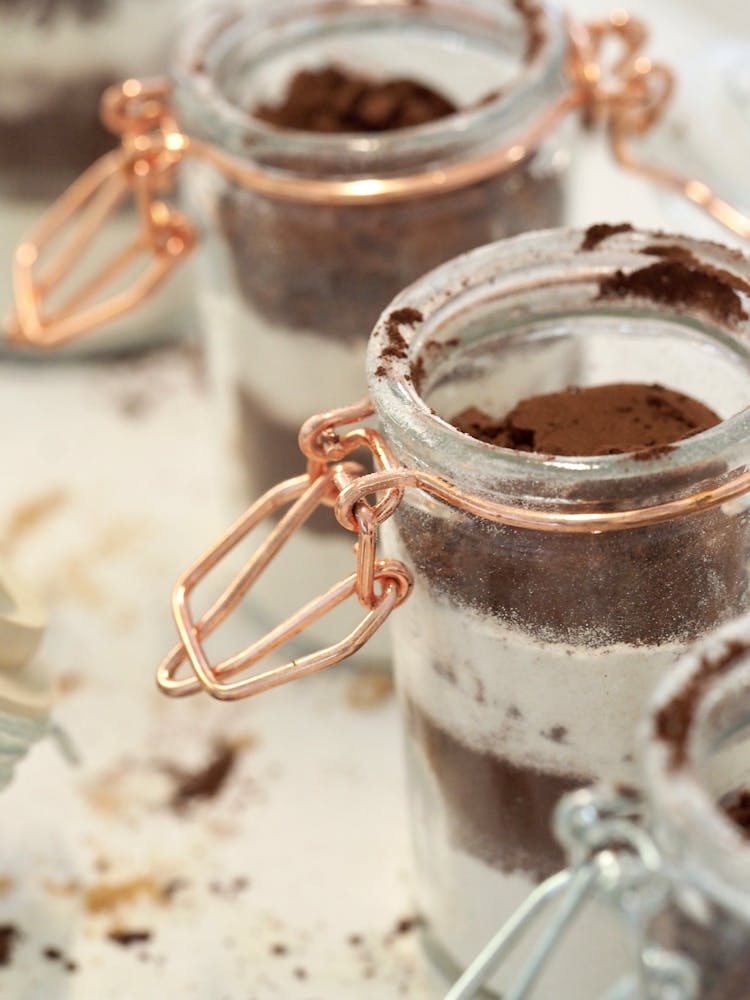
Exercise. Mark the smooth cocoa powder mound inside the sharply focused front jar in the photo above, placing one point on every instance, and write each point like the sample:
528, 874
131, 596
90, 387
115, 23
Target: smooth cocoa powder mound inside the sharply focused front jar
598, 420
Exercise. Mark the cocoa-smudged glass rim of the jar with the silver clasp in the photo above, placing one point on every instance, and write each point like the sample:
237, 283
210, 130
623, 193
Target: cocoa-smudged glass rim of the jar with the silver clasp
691, 827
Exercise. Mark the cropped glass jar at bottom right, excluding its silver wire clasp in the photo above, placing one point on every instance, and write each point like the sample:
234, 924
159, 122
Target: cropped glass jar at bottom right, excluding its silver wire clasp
697, 776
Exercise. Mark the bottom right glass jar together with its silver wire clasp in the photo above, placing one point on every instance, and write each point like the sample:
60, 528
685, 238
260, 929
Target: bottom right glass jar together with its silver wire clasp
677, 866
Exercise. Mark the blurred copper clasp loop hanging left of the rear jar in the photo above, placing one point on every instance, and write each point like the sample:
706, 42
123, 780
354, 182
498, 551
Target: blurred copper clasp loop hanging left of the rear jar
142, 167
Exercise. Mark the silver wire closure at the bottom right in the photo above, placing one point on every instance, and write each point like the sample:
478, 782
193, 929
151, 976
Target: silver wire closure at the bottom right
612, 858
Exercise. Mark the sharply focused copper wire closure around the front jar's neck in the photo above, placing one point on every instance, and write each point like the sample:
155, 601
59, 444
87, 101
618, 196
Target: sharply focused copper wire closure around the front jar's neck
327, 440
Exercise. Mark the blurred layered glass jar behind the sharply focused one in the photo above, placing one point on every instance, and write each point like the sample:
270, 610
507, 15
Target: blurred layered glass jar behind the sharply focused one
290, 287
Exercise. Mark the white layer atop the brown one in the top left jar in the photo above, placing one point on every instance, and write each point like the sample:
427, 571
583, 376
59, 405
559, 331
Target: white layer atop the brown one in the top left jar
130, 39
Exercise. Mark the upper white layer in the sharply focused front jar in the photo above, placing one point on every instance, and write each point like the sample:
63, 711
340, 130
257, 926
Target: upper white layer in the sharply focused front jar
555, 707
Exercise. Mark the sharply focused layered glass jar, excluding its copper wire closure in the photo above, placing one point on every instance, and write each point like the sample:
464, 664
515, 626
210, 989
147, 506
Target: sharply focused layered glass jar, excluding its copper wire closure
524, 657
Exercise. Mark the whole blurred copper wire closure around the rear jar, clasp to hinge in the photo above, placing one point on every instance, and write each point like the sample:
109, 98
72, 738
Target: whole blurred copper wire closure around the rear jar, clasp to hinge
627, 99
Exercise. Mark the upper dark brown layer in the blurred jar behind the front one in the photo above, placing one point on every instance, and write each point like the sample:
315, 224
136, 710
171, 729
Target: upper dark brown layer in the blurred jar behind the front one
333, 269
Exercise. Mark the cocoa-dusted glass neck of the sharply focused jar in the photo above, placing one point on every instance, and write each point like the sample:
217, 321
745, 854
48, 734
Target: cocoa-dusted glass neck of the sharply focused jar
545, 311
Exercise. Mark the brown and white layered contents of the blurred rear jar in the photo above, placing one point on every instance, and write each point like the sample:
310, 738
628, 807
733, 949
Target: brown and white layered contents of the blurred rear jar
310, 280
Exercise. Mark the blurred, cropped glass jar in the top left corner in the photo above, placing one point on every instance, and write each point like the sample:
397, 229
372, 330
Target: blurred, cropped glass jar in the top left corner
58, 58
